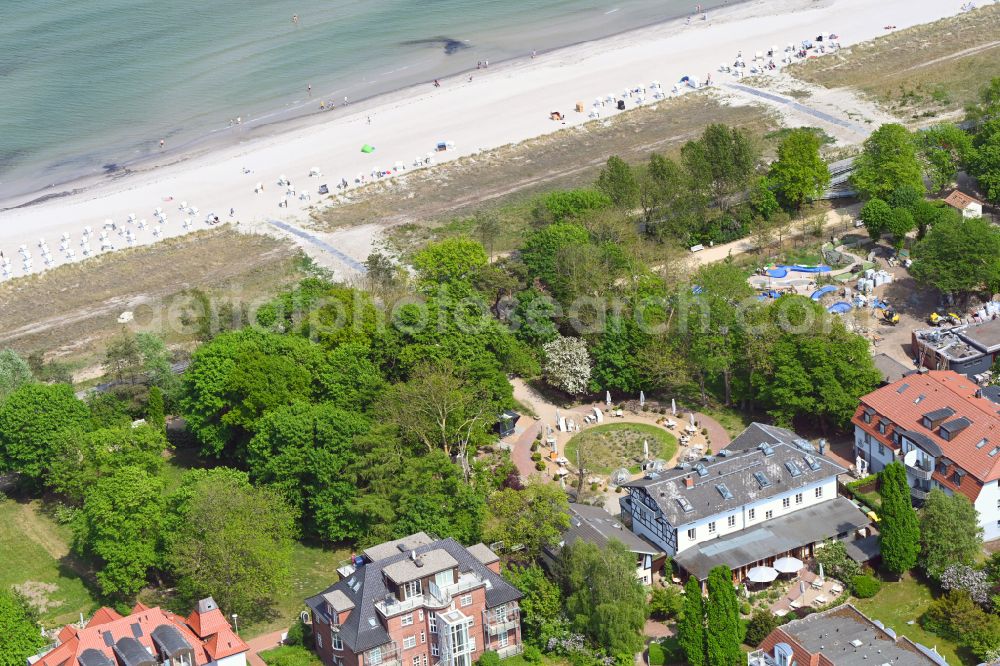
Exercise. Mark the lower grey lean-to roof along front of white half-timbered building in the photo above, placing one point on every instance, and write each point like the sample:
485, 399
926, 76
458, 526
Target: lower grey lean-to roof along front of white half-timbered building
778, 535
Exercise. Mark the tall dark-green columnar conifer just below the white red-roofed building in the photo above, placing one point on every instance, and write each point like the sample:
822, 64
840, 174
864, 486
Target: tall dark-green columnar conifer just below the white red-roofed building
899, 531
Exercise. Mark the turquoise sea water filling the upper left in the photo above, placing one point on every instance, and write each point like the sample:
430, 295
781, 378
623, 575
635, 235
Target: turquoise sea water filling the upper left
89, 85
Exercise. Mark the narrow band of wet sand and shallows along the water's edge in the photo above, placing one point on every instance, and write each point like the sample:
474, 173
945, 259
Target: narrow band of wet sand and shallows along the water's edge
295, 115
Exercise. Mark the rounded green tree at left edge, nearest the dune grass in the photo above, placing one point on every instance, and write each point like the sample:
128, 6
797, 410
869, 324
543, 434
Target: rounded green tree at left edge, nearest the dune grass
33, 420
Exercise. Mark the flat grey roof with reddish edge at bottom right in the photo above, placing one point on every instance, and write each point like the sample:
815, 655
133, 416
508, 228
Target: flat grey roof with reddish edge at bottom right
849, 638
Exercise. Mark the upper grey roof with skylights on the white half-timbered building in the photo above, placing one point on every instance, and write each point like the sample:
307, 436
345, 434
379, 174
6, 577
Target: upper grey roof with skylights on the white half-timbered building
681, 505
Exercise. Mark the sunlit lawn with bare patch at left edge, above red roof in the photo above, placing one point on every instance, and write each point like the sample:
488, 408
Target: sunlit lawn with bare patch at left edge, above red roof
34, 551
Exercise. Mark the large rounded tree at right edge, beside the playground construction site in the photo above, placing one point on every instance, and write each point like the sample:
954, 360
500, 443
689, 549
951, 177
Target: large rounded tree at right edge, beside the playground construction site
959, 256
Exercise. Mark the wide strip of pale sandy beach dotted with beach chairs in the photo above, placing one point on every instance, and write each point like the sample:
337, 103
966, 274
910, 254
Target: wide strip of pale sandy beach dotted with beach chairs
505, 104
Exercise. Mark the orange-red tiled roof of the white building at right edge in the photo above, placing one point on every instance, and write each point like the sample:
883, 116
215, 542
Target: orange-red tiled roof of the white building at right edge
941, 388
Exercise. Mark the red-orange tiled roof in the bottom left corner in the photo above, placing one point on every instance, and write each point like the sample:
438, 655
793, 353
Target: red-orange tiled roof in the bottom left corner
218, 643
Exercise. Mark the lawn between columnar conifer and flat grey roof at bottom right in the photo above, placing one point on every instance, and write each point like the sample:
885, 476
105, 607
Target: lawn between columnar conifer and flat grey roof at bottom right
897, 604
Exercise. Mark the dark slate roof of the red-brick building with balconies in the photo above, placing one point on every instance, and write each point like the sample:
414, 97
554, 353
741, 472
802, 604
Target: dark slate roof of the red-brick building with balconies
367, 585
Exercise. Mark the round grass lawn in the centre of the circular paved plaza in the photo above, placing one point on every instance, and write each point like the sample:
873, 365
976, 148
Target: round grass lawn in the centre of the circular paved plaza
606, 447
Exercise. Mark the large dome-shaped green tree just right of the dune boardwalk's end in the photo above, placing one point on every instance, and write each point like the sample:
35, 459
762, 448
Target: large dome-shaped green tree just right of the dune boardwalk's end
888, 161
